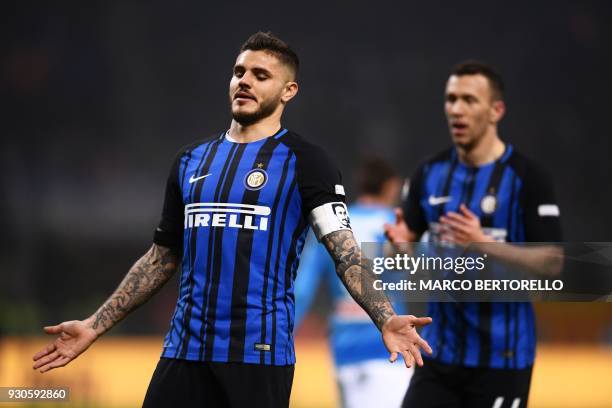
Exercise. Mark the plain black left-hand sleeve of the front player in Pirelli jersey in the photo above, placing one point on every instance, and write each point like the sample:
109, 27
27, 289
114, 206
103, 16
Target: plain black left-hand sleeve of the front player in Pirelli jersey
169, 232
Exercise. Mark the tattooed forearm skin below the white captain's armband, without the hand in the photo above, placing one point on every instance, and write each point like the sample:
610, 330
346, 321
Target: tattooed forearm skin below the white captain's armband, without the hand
356, 274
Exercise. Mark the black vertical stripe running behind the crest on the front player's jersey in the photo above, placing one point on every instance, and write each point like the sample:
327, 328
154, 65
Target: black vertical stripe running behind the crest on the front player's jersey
242, 265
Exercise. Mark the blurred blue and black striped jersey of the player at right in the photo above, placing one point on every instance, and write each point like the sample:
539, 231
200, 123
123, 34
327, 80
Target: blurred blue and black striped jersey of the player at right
515, 202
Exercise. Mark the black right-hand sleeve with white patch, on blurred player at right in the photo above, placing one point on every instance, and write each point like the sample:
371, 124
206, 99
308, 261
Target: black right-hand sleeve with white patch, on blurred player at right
542, 216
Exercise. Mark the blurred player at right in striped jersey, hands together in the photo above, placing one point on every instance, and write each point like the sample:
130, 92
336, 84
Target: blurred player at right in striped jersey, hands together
480, 190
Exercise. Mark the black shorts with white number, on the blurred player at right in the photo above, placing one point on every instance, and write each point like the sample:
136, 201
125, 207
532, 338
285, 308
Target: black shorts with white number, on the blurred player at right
443, 385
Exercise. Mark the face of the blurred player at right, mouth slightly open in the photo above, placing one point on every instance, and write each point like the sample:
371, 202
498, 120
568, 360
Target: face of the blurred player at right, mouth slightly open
470, 108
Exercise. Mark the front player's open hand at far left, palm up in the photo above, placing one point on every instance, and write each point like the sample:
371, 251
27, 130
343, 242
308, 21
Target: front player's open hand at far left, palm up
74, 338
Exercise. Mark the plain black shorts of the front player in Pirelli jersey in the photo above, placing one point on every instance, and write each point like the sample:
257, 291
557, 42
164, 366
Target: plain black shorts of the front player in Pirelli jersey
182, 383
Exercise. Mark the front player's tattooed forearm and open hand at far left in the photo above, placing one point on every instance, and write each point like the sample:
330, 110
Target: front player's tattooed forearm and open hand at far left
142, 281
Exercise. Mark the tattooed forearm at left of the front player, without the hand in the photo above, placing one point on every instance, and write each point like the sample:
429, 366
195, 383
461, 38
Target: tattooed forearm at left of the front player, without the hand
142, 281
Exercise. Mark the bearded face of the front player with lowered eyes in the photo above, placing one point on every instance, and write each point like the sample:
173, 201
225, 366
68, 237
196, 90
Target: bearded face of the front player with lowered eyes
259, 85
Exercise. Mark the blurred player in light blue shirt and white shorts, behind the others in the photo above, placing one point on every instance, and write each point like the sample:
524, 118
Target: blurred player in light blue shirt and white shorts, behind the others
364, 376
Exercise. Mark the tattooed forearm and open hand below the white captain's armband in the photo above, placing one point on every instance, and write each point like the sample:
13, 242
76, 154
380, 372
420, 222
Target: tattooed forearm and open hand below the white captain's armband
399, 332
